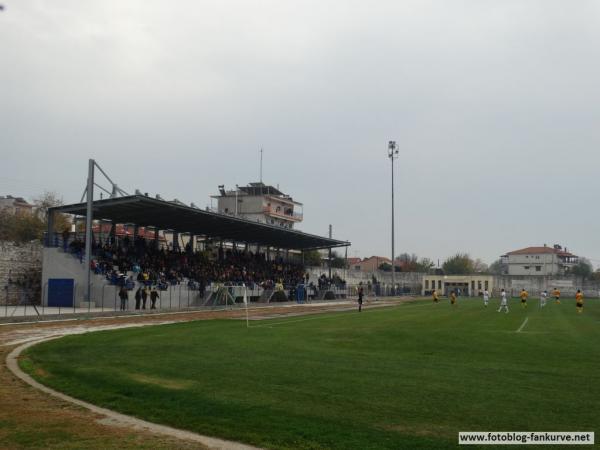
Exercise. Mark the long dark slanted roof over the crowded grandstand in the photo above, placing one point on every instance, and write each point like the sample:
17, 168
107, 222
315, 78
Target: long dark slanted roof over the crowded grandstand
165, 215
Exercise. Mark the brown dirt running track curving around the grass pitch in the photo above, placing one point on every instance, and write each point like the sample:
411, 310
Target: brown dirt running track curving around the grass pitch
30, 418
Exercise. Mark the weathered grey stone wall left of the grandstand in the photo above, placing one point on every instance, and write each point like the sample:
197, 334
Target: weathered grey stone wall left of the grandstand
20, 272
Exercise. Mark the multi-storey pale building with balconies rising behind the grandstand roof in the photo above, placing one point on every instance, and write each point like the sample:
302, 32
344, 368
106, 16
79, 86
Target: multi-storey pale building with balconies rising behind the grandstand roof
260, 203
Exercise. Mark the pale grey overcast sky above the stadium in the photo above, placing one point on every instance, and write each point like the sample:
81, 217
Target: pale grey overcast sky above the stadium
495, 106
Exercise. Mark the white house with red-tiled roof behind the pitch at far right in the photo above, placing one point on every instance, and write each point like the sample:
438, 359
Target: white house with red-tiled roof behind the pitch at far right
539, 261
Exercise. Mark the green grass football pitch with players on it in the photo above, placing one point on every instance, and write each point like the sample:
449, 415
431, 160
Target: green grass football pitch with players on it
408, 376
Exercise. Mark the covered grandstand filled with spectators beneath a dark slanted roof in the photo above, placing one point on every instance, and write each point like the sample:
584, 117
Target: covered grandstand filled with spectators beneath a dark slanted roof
240, 253
